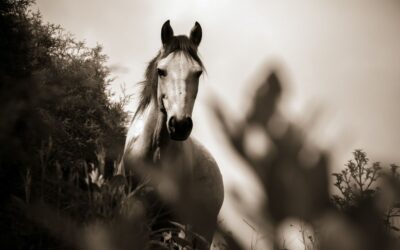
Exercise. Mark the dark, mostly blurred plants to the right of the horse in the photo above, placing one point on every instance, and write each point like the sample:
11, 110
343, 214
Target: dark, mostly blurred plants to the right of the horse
294, 174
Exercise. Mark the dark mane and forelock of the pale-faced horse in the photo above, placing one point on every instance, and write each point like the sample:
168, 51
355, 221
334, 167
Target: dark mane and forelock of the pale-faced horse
149, 85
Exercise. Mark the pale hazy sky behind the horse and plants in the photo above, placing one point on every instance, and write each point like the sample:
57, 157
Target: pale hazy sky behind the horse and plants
340, 59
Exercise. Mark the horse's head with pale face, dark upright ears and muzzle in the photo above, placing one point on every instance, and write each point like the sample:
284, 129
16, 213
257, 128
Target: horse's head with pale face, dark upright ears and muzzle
178, 69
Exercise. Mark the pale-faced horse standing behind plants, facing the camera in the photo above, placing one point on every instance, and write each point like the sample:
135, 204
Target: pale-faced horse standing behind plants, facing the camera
159, 146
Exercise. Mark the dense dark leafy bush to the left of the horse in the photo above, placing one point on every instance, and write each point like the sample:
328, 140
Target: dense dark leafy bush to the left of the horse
57, 125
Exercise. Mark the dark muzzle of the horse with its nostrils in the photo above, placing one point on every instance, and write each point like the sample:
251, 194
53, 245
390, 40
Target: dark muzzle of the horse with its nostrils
179, 129
